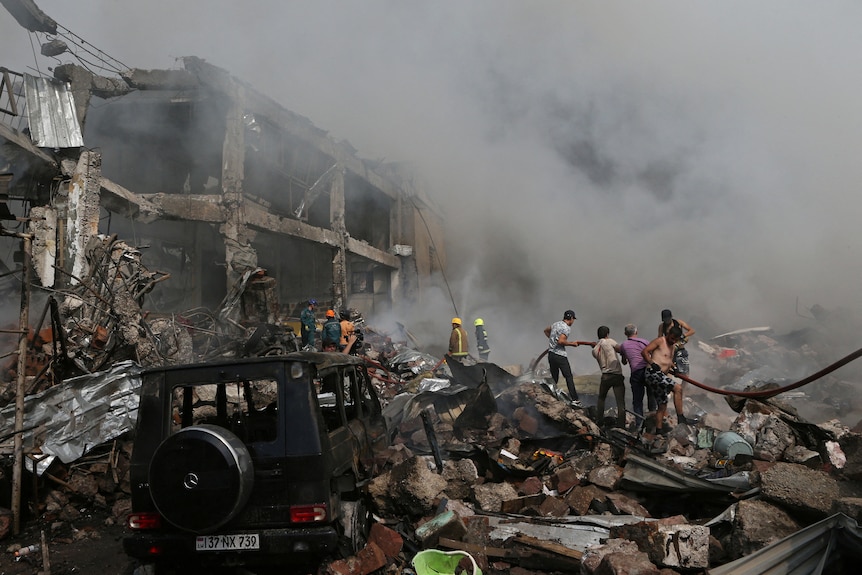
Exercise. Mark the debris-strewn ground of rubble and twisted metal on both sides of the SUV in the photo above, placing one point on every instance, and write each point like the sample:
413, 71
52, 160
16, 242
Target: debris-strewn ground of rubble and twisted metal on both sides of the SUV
486, 464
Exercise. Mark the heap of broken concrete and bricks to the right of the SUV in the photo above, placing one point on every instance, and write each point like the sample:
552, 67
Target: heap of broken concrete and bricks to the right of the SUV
530, 485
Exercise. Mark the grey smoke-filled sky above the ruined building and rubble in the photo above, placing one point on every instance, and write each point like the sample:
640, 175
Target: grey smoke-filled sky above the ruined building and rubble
615, 158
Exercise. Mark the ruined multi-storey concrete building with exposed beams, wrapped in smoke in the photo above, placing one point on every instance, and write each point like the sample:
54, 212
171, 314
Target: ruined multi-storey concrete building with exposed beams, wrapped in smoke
211, 179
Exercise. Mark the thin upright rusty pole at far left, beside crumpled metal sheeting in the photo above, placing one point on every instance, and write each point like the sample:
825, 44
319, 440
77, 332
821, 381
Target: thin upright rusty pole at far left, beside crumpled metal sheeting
20, 387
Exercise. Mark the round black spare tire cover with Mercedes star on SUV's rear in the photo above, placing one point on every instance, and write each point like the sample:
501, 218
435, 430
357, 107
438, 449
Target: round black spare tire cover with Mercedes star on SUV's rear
201, 477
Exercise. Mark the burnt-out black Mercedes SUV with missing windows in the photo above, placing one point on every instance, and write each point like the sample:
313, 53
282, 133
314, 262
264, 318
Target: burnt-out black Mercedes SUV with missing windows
253, 461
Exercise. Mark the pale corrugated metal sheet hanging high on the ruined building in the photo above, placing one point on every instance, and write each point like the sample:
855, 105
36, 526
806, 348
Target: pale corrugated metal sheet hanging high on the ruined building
51, 113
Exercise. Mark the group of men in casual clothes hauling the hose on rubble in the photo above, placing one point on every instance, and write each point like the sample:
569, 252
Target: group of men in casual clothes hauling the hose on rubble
653, 366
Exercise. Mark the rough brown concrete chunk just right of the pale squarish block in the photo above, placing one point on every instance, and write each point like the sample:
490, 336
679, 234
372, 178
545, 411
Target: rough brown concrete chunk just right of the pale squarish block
757, 524
